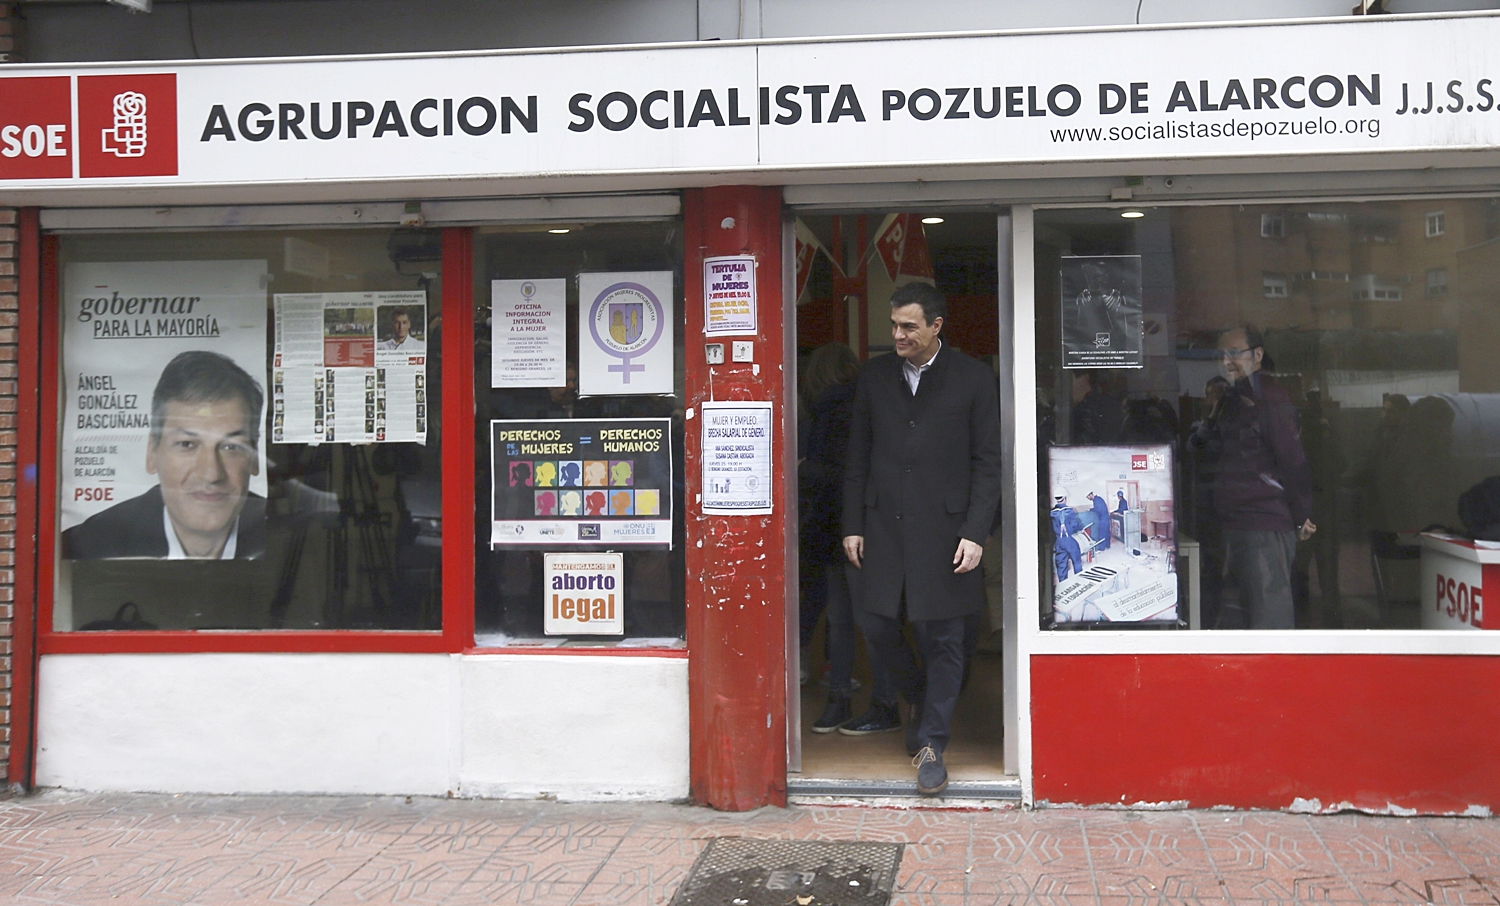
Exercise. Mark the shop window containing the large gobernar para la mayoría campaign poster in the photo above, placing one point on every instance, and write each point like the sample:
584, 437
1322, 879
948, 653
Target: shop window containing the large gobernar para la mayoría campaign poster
250, 434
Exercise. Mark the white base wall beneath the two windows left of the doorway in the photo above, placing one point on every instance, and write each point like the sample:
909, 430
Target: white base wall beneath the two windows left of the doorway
580, 728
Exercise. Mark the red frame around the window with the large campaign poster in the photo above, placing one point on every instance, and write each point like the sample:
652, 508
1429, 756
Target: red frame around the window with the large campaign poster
40, 376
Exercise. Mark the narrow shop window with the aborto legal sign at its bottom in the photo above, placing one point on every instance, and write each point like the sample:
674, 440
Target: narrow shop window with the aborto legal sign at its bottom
578, 358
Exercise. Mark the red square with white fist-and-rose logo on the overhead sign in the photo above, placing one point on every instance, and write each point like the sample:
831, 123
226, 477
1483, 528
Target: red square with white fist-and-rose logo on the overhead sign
128, 125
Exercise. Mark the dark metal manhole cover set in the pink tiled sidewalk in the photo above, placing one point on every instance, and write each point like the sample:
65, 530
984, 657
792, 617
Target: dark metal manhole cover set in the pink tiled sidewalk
743, 872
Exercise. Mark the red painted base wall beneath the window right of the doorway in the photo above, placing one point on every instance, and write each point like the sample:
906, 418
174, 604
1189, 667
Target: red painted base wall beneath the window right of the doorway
1261, 731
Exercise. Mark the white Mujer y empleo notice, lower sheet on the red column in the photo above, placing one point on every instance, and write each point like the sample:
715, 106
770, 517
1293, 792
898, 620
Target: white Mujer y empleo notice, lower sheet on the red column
737, 458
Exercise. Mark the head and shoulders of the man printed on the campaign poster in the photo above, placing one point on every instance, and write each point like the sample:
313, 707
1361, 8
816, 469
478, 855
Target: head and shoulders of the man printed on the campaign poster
203, 449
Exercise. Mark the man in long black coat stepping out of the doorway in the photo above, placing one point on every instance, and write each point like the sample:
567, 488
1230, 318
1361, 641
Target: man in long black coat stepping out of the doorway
922, 490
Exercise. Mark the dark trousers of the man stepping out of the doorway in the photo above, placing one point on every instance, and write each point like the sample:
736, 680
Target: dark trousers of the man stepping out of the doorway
941, 644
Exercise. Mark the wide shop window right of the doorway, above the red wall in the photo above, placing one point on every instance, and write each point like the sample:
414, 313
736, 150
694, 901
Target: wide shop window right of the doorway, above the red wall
1372, 419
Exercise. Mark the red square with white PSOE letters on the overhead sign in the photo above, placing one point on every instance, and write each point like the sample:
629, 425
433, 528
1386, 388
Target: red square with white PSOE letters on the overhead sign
37, 128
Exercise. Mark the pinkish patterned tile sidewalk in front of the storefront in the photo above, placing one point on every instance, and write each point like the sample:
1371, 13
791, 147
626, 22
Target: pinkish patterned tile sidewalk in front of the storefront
155, 850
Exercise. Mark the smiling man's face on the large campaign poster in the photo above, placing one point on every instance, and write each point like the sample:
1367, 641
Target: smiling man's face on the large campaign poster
205, 460
